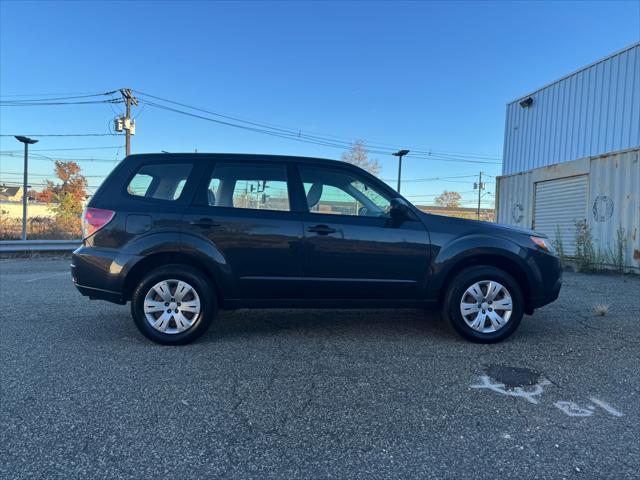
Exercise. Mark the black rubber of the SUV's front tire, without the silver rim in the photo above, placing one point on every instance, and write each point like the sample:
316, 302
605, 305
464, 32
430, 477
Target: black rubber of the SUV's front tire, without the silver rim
456, 290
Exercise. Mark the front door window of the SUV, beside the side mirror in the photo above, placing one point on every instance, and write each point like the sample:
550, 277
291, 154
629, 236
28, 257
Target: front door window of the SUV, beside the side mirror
342, 193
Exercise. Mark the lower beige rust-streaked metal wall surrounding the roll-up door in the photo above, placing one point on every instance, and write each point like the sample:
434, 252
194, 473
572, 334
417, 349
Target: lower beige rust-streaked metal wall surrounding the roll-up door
613, 198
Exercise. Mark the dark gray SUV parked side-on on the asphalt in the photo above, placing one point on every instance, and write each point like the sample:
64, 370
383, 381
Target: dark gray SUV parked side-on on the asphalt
183, 235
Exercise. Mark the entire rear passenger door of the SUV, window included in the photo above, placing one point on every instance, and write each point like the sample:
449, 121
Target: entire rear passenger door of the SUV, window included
248, 220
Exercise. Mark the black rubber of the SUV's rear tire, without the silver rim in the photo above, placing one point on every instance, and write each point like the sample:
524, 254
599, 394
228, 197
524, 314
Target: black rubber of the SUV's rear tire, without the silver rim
204, 290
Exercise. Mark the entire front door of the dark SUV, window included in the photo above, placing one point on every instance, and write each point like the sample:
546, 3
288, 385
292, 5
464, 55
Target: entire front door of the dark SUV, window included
352, 247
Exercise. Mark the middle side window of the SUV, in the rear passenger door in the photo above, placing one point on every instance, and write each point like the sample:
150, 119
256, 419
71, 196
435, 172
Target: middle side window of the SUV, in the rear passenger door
249, 185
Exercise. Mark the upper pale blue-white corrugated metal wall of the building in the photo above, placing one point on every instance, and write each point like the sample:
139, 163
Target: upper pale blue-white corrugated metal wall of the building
591, 112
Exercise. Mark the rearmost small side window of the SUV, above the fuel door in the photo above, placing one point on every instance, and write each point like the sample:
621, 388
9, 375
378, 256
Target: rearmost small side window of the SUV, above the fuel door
162, 181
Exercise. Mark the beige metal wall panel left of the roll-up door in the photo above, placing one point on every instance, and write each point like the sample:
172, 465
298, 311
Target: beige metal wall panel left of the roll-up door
515, 198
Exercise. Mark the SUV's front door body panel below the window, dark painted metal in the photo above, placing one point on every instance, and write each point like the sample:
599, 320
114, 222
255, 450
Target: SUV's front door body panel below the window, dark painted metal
364, 258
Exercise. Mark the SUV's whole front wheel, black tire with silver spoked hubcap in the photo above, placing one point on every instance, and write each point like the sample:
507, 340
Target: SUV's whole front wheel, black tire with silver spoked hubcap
491, 330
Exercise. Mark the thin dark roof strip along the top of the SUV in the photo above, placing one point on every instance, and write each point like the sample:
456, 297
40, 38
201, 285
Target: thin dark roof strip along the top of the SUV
257, 157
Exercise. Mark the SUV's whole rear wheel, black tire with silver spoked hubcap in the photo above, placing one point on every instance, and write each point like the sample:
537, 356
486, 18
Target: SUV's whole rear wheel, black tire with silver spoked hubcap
191, 310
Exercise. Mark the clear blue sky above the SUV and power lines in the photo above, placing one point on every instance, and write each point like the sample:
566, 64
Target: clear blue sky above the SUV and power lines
428, 75
